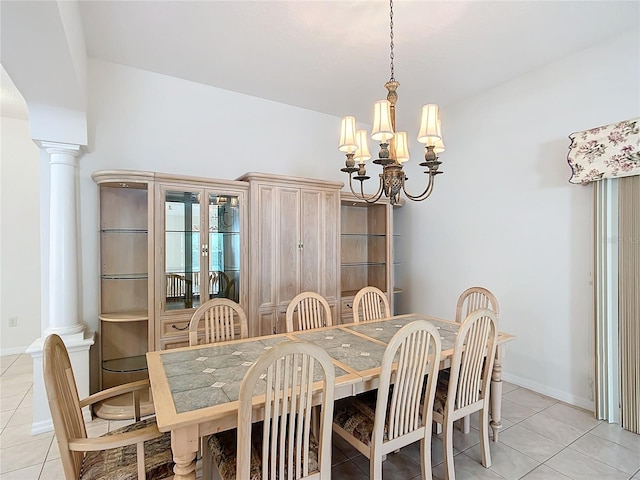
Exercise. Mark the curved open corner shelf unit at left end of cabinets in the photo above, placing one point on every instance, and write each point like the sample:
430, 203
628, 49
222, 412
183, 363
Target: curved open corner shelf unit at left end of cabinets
126, 330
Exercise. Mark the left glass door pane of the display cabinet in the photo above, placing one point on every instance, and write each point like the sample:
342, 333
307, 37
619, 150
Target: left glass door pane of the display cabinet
182, 247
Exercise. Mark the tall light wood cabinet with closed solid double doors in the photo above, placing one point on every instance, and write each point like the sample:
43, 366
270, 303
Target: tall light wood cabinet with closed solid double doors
294, 246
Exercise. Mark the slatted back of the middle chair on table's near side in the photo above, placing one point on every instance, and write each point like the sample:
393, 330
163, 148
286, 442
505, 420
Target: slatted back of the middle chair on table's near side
415, 350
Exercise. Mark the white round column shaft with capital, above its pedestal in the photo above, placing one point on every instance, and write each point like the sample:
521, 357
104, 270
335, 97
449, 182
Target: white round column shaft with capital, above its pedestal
63, 244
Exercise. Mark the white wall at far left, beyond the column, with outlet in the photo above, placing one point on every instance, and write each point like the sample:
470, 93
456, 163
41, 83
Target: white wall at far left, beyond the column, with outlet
19, 236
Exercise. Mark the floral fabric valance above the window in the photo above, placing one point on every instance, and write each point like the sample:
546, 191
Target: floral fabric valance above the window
605, 152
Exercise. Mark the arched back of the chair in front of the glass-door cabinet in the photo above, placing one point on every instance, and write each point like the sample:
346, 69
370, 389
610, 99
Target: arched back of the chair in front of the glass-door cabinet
223, 320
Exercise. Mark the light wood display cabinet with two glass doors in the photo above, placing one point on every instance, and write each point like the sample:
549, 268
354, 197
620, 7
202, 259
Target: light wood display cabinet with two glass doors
201, 250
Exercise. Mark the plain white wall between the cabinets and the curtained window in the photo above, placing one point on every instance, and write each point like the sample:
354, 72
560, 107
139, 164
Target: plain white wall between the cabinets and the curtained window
504, 215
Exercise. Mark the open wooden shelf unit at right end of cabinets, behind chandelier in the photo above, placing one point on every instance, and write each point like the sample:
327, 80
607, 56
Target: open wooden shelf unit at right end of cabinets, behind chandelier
367, 252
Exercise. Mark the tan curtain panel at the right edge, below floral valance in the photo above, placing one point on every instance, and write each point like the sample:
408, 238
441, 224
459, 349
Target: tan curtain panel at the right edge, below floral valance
629, 301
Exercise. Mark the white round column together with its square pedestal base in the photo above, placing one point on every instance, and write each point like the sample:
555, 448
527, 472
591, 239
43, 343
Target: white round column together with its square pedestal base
63, 288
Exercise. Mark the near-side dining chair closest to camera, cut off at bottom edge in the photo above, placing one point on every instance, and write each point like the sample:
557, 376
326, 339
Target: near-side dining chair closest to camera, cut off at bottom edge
282, 446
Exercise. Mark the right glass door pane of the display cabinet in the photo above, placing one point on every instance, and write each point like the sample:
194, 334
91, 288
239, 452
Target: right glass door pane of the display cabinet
224, 246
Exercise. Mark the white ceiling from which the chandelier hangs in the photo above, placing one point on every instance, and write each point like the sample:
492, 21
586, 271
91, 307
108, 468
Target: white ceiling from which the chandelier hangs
333, 56
